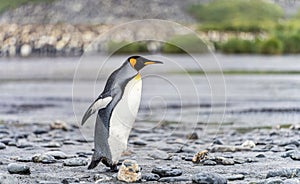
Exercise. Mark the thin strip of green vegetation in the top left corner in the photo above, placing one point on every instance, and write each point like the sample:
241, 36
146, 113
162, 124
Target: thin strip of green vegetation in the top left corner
11, 4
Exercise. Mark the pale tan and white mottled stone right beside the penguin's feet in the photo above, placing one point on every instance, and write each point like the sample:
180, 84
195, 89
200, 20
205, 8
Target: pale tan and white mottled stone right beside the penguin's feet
129, 171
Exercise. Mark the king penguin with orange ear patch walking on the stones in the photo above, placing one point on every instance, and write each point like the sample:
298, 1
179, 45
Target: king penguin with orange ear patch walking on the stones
117, 108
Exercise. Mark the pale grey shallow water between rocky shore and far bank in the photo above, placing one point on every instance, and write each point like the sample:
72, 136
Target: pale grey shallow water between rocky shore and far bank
45, 89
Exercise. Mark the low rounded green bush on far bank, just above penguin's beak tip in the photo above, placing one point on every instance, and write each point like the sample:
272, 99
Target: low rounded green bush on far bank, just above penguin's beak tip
184, 43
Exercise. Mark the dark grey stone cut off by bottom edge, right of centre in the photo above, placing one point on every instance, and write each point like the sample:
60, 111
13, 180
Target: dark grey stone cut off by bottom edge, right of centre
209, 178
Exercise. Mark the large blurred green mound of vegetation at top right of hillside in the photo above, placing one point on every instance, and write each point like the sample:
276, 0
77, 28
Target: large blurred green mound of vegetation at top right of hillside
237, 15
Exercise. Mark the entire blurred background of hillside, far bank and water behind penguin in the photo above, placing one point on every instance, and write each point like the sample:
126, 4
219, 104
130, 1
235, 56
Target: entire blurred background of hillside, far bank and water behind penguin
45, 44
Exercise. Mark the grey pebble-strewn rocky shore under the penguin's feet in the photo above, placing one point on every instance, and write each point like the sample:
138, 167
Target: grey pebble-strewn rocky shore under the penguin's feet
58, 153
